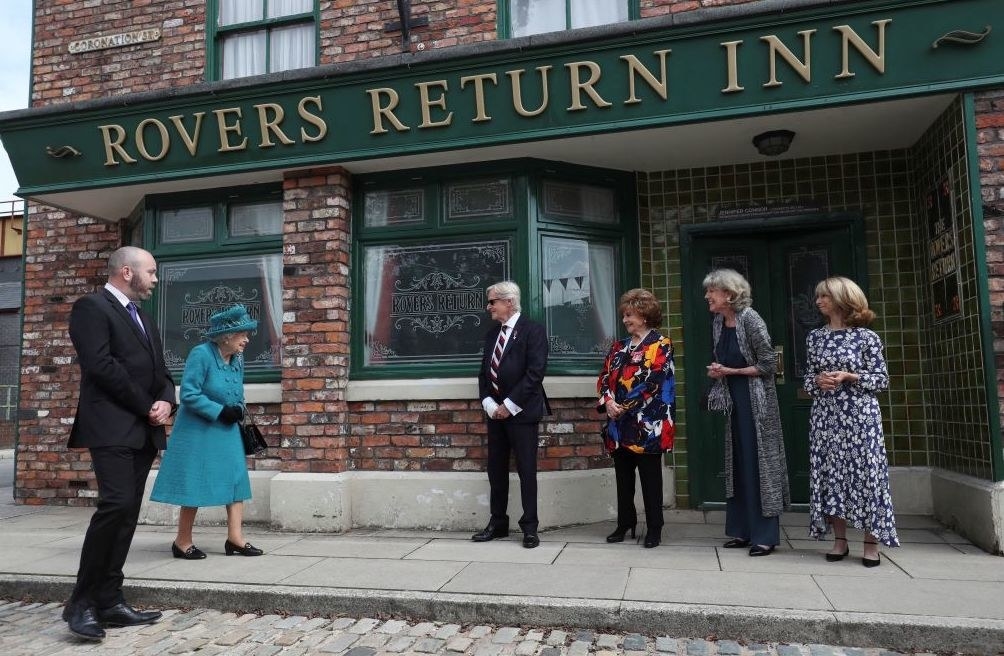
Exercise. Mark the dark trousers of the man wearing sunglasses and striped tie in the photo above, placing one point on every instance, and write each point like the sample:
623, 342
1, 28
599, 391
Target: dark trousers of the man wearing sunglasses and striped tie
505, 439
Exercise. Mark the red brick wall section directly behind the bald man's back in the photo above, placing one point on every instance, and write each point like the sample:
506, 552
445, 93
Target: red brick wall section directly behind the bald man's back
66, 257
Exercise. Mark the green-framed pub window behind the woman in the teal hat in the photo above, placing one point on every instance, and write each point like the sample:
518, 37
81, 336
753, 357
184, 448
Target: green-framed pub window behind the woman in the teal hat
215, 250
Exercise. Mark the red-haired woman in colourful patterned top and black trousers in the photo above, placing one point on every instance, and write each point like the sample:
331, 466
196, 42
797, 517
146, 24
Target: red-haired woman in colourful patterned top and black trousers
637, 391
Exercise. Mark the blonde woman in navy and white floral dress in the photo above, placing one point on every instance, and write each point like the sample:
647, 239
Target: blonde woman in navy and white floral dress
849, 470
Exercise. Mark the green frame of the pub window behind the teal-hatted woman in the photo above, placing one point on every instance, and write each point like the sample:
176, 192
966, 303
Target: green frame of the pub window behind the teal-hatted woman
145, 233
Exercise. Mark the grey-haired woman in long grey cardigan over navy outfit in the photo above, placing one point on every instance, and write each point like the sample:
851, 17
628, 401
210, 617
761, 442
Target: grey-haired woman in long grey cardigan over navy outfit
757, 482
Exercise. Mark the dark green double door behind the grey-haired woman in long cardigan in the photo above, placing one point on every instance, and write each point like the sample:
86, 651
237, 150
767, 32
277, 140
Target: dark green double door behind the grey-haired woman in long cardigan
784, 264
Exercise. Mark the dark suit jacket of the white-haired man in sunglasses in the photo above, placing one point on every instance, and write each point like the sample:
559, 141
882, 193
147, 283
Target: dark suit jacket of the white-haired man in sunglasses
522, 369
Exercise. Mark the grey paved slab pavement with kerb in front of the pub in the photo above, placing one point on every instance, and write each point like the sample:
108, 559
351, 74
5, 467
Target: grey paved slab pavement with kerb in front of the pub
937, 593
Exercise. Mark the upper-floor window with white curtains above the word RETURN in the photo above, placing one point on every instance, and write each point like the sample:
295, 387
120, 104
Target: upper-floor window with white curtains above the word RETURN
527, 18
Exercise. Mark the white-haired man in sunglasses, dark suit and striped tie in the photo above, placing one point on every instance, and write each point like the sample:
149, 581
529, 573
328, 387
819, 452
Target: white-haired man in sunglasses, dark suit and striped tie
513, 393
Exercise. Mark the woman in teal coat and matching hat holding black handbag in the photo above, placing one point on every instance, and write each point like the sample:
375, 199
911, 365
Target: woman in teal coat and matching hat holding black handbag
205, 463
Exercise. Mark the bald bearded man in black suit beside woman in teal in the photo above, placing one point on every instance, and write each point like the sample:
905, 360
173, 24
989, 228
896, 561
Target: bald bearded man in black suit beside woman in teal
127, 396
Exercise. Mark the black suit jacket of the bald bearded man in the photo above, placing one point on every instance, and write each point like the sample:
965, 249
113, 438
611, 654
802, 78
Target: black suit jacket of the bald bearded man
122, 375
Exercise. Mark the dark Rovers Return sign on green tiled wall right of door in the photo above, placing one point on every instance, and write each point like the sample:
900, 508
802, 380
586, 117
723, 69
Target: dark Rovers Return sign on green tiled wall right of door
943, 254
